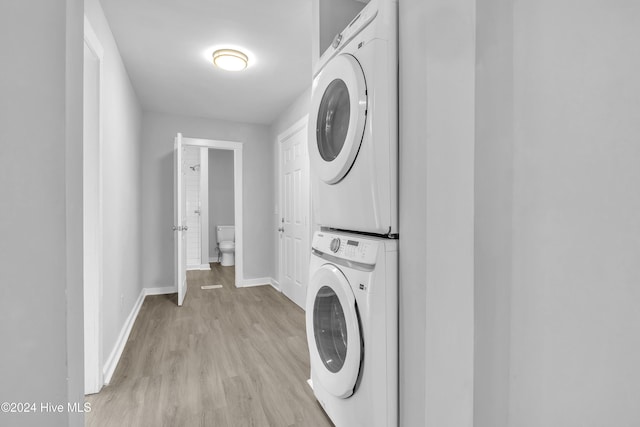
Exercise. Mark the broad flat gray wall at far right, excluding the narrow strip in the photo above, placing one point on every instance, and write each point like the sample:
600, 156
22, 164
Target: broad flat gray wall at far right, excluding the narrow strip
575, 323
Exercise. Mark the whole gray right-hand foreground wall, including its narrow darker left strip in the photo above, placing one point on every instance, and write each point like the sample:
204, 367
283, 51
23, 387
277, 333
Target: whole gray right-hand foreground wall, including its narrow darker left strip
557, 337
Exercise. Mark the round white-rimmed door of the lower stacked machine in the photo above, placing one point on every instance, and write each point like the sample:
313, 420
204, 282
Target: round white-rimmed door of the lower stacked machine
333, 331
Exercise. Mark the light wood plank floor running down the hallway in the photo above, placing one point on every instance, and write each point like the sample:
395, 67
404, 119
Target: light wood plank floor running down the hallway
227, 357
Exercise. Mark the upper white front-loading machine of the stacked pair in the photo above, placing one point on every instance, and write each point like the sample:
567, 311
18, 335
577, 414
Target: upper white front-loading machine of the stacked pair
353, 125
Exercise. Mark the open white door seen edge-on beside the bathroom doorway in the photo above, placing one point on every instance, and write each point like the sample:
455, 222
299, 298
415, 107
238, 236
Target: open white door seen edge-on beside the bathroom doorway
180, 220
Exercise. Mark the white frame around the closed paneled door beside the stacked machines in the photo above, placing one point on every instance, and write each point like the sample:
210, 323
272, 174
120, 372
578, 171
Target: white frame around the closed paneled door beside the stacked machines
282, 137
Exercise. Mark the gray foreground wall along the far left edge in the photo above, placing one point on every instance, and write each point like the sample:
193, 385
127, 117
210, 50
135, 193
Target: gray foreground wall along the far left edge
40, 171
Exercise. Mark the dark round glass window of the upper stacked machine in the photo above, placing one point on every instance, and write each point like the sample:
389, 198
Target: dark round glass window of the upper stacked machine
333, 120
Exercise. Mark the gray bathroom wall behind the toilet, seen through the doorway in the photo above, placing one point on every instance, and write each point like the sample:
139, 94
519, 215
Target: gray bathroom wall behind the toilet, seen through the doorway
221, 195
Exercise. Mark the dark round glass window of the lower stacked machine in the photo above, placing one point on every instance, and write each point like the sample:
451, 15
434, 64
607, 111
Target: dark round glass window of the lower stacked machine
330, 329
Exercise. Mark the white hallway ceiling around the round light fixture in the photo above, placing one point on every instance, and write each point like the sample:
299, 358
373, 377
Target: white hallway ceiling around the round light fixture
163, 45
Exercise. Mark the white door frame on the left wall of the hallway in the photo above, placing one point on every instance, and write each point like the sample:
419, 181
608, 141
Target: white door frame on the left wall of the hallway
93, 322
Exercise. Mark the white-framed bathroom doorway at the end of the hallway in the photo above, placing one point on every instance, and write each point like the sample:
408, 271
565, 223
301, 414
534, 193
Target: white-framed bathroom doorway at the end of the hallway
212, 171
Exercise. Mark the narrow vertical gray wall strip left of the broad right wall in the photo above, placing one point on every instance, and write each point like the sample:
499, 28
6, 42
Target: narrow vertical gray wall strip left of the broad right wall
493, 210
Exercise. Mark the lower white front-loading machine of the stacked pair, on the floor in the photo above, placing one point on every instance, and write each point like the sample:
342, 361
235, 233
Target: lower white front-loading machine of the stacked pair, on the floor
352, 328
